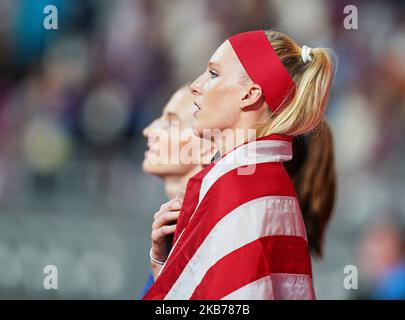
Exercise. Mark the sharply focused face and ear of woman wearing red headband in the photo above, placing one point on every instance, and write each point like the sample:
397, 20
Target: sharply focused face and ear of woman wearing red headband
224, 94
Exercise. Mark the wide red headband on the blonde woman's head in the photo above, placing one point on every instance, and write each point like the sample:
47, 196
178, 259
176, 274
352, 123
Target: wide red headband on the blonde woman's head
263, 66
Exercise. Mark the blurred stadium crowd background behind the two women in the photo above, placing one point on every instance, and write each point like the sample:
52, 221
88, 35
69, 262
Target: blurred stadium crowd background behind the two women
74, 101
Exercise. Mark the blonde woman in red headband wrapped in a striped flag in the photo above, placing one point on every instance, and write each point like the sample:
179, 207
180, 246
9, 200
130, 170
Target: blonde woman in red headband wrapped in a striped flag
240, 233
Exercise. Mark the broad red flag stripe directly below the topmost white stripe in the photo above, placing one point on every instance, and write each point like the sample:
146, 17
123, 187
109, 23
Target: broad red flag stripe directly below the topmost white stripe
217, 203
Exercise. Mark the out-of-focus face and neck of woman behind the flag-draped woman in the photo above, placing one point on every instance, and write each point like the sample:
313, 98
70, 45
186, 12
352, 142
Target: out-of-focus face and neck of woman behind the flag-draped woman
176, 114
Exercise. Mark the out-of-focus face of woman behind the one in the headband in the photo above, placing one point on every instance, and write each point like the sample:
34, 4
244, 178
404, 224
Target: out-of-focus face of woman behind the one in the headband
160, 159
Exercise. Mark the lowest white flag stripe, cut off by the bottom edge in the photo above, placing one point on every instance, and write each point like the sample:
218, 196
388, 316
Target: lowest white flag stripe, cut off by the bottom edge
277, 286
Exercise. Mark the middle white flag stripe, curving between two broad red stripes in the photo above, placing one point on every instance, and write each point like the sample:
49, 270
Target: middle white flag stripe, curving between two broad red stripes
265, 216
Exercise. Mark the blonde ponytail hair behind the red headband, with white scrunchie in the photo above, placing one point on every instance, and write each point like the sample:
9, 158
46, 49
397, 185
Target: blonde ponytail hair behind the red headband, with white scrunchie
303, 109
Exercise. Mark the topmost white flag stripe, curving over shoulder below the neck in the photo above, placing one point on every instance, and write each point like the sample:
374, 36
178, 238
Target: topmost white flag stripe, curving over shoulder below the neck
255, 152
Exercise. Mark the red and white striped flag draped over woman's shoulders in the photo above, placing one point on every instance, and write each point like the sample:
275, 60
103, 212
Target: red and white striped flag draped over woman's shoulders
240, 233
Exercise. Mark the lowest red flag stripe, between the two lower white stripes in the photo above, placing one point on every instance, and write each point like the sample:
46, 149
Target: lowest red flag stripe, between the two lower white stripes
267, 255
